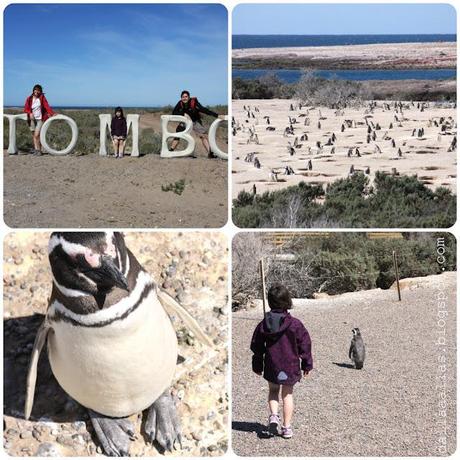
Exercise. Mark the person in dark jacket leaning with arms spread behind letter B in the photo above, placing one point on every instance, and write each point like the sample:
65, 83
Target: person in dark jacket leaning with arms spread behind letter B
191, 108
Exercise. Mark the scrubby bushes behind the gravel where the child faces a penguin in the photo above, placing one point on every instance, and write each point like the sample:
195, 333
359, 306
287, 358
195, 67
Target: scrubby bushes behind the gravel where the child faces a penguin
346, 262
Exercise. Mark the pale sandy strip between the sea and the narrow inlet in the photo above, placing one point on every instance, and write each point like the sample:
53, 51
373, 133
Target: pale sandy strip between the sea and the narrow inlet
376, 56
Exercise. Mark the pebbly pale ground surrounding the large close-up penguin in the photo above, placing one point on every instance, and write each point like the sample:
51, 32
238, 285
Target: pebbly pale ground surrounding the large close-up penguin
193, 268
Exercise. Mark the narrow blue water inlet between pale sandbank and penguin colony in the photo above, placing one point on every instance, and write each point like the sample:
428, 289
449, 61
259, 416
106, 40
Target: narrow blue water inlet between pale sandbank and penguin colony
294, 75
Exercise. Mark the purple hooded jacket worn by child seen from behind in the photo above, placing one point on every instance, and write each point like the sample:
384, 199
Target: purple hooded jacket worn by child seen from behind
282, 348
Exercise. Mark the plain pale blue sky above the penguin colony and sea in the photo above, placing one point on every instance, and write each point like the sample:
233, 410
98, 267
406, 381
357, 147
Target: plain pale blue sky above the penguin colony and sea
337, 19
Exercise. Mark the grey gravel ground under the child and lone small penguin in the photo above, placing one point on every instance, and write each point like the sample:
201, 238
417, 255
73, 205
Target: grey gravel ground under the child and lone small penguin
391, 407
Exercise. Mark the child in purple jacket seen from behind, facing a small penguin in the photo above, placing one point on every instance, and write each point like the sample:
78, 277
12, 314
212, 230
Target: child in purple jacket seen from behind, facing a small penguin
282, 349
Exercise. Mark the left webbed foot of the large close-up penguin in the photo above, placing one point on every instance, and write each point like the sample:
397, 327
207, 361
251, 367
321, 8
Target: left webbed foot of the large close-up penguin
114, 434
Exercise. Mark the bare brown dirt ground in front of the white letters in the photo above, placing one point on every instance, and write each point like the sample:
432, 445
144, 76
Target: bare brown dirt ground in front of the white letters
91, 191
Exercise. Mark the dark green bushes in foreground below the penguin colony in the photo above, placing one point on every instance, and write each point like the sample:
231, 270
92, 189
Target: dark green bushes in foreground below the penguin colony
393, 201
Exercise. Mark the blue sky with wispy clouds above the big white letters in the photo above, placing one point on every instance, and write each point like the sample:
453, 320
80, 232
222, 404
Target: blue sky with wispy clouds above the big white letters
125, 54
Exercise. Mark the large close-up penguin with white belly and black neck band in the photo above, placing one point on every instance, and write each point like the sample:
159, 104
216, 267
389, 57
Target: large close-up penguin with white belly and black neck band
111, 345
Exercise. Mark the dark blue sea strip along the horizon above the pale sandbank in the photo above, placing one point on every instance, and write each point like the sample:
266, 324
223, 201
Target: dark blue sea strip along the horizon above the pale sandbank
278, 41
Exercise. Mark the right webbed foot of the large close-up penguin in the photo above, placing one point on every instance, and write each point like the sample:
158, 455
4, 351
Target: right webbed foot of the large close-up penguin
162, 424
